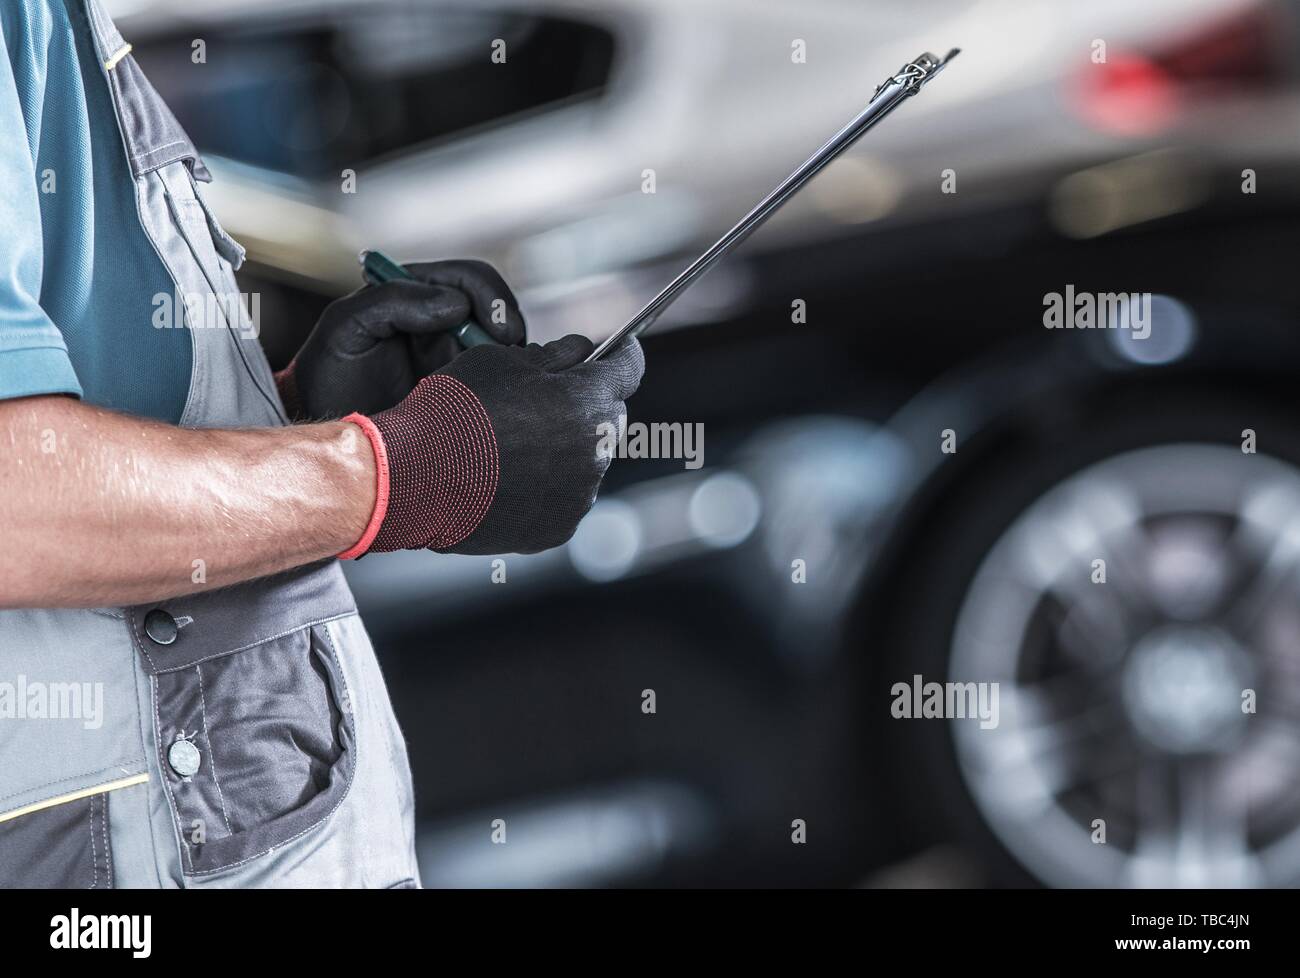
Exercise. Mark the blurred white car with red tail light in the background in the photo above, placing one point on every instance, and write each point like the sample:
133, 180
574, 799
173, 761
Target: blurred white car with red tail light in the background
539, 163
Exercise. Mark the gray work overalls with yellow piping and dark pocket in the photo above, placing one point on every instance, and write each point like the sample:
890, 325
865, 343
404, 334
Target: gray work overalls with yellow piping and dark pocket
245, 735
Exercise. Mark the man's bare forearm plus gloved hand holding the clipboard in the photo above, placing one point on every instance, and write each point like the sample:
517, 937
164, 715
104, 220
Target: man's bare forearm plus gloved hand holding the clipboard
497, 453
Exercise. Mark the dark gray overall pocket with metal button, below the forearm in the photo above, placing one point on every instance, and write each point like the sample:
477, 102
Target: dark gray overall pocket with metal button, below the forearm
254, 722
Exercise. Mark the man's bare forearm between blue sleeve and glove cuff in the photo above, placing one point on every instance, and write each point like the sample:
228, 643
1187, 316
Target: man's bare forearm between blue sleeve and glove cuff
102, 509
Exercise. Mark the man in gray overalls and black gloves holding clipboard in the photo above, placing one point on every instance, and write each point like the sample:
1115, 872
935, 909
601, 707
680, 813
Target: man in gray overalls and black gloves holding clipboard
187, 694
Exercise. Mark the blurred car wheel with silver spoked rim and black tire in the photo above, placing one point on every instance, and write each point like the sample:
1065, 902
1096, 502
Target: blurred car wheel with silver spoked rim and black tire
1134, 596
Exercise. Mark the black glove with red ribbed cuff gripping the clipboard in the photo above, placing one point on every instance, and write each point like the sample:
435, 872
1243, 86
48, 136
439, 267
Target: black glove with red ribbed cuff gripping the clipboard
499, 452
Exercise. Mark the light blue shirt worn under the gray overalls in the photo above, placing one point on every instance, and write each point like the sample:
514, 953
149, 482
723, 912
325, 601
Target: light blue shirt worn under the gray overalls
79, 276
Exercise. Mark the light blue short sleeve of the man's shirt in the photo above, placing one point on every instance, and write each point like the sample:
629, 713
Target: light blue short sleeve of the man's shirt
33, 354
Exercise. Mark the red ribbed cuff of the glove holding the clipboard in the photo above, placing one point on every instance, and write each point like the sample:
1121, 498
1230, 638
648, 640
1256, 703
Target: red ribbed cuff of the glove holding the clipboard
437, 455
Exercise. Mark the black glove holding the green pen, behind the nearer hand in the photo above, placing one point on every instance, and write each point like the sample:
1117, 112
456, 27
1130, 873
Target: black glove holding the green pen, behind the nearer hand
371, 348
